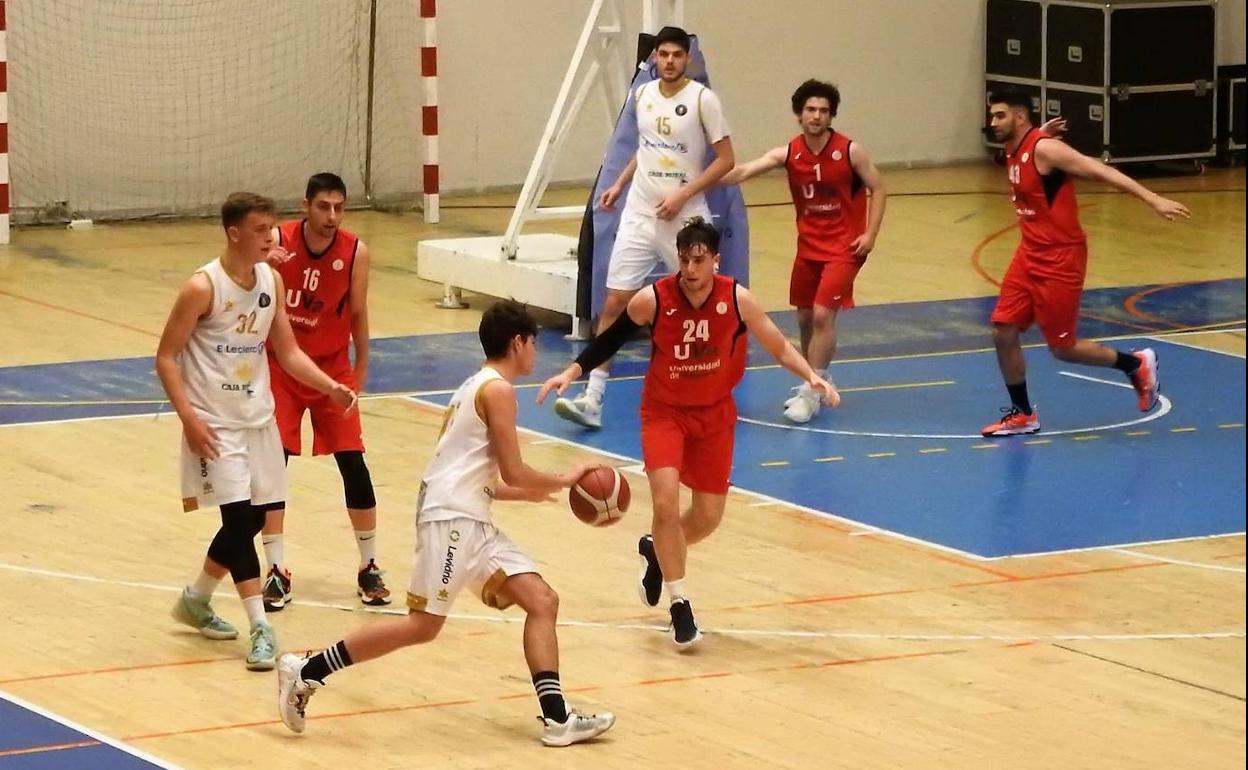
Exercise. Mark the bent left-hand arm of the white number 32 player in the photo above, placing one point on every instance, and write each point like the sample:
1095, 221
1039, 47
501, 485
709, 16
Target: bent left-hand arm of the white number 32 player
194, 301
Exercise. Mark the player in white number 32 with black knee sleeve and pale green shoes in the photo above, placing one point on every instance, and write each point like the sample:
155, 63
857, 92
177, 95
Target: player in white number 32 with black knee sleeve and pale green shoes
212, 361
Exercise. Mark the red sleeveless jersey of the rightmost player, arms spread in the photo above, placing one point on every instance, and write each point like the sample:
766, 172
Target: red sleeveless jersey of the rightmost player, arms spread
1045, 203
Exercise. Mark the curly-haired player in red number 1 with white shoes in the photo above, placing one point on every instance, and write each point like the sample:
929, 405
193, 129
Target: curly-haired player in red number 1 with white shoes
831, 178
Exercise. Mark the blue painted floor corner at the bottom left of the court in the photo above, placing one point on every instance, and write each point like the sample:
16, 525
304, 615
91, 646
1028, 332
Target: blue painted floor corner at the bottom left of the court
31, 739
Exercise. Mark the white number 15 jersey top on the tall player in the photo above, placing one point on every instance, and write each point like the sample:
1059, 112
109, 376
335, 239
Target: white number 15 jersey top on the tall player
673, 137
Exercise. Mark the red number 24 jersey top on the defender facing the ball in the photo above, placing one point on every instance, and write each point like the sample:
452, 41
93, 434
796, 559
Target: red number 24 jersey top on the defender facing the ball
698, 354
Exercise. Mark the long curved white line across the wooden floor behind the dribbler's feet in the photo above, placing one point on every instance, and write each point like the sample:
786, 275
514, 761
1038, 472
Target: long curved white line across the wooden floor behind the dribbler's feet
665, 628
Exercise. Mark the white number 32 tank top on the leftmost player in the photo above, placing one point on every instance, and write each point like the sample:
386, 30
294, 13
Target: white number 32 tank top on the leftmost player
224, 364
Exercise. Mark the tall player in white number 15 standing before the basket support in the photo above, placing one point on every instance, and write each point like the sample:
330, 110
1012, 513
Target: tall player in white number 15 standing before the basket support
677, 120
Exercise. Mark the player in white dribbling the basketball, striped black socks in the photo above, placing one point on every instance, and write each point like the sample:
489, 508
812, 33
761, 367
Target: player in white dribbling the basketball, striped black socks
476, 461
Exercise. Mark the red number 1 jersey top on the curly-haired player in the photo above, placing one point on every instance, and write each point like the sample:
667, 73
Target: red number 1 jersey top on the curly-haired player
829, 198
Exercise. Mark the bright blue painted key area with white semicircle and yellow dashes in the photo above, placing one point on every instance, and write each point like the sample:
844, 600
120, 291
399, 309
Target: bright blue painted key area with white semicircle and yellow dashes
904, 454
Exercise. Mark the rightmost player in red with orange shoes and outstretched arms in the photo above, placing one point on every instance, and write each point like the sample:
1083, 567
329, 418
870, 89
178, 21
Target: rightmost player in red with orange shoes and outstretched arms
1045, 279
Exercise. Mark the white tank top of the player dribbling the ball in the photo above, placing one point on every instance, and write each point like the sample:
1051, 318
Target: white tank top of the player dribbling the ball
460, 481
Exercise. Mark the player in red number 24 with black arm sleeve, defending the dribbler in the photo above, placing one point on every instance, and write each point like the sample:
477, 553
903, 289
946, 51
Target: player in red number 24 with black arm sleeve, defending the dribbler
698, 323
